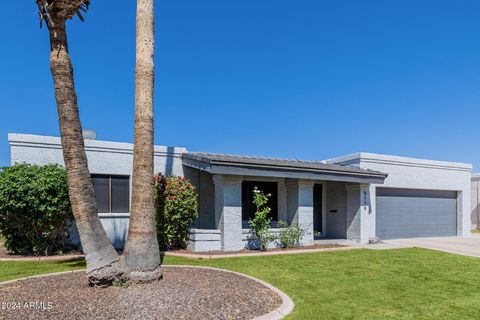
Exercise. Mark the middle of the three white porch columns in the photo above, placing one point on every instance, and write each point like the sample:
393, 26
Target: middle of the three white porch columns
300, 207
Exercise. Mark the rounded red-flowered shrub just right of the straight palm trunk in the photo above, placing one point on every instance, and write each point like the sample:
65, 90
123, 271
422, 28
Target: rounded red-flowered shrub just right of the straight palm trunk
176, 205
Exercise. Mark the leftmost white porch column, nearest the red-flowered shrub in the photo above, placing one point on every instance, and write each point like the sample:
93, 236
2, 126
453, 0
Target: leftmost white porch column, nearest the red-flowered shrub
228, 211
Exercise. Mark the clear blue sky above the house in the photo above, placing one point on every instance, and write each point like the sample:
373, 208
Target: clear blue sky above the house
308, 79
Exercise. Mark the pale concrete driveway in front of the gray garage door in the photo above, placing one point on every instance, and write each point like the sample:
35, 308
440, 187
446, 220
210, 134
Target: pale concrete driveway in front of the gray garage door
464, 246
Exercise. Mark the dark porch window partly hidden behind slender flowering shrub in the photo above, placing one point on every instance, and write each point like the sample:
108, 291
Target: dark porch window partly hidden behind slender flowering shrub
248, 208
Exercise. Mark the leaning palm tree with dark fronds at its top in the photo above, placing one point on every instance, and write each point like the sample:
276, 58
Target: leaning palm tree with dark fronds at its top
103, 262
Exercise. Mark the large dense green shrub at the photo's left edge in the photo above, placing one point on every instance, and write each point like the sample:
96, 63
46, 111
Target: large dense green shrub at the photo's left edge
35, 209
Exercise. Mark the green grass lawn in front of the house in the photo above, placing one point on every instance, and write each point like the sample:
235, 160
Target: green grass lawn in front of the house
356, 284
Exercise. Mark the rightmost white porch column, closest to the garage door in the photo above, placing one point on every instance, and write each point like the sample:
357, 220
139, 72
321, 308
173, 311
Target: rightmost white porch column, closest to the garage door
360, 220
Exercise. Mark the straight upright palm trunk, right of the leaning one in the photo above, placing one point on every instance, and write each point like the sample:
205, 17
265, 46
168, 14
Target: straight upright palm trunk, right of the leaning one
141, 253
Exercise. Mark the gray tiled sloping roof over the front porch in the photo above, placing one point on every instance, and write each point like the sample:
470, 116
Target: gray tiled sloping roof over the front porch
275, 167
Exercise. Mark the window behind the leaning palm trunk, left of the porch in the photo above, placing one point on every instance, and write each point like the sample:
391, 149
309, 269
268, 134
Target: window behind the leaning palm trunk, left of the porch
112, 193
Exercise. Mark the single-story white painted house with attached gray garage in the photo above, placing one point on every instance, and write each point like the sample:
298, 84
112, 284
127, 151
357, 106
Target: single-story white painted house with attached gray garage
360, 197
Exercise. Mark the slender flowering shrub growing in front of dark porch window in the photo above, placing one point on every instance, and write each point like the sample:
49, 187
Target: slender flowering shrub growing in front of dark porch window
260, 224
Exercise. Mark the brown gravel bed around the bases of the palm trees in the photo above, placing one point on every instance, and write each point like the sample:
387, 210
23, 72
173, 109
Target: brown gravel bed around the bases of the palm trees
184, 293
